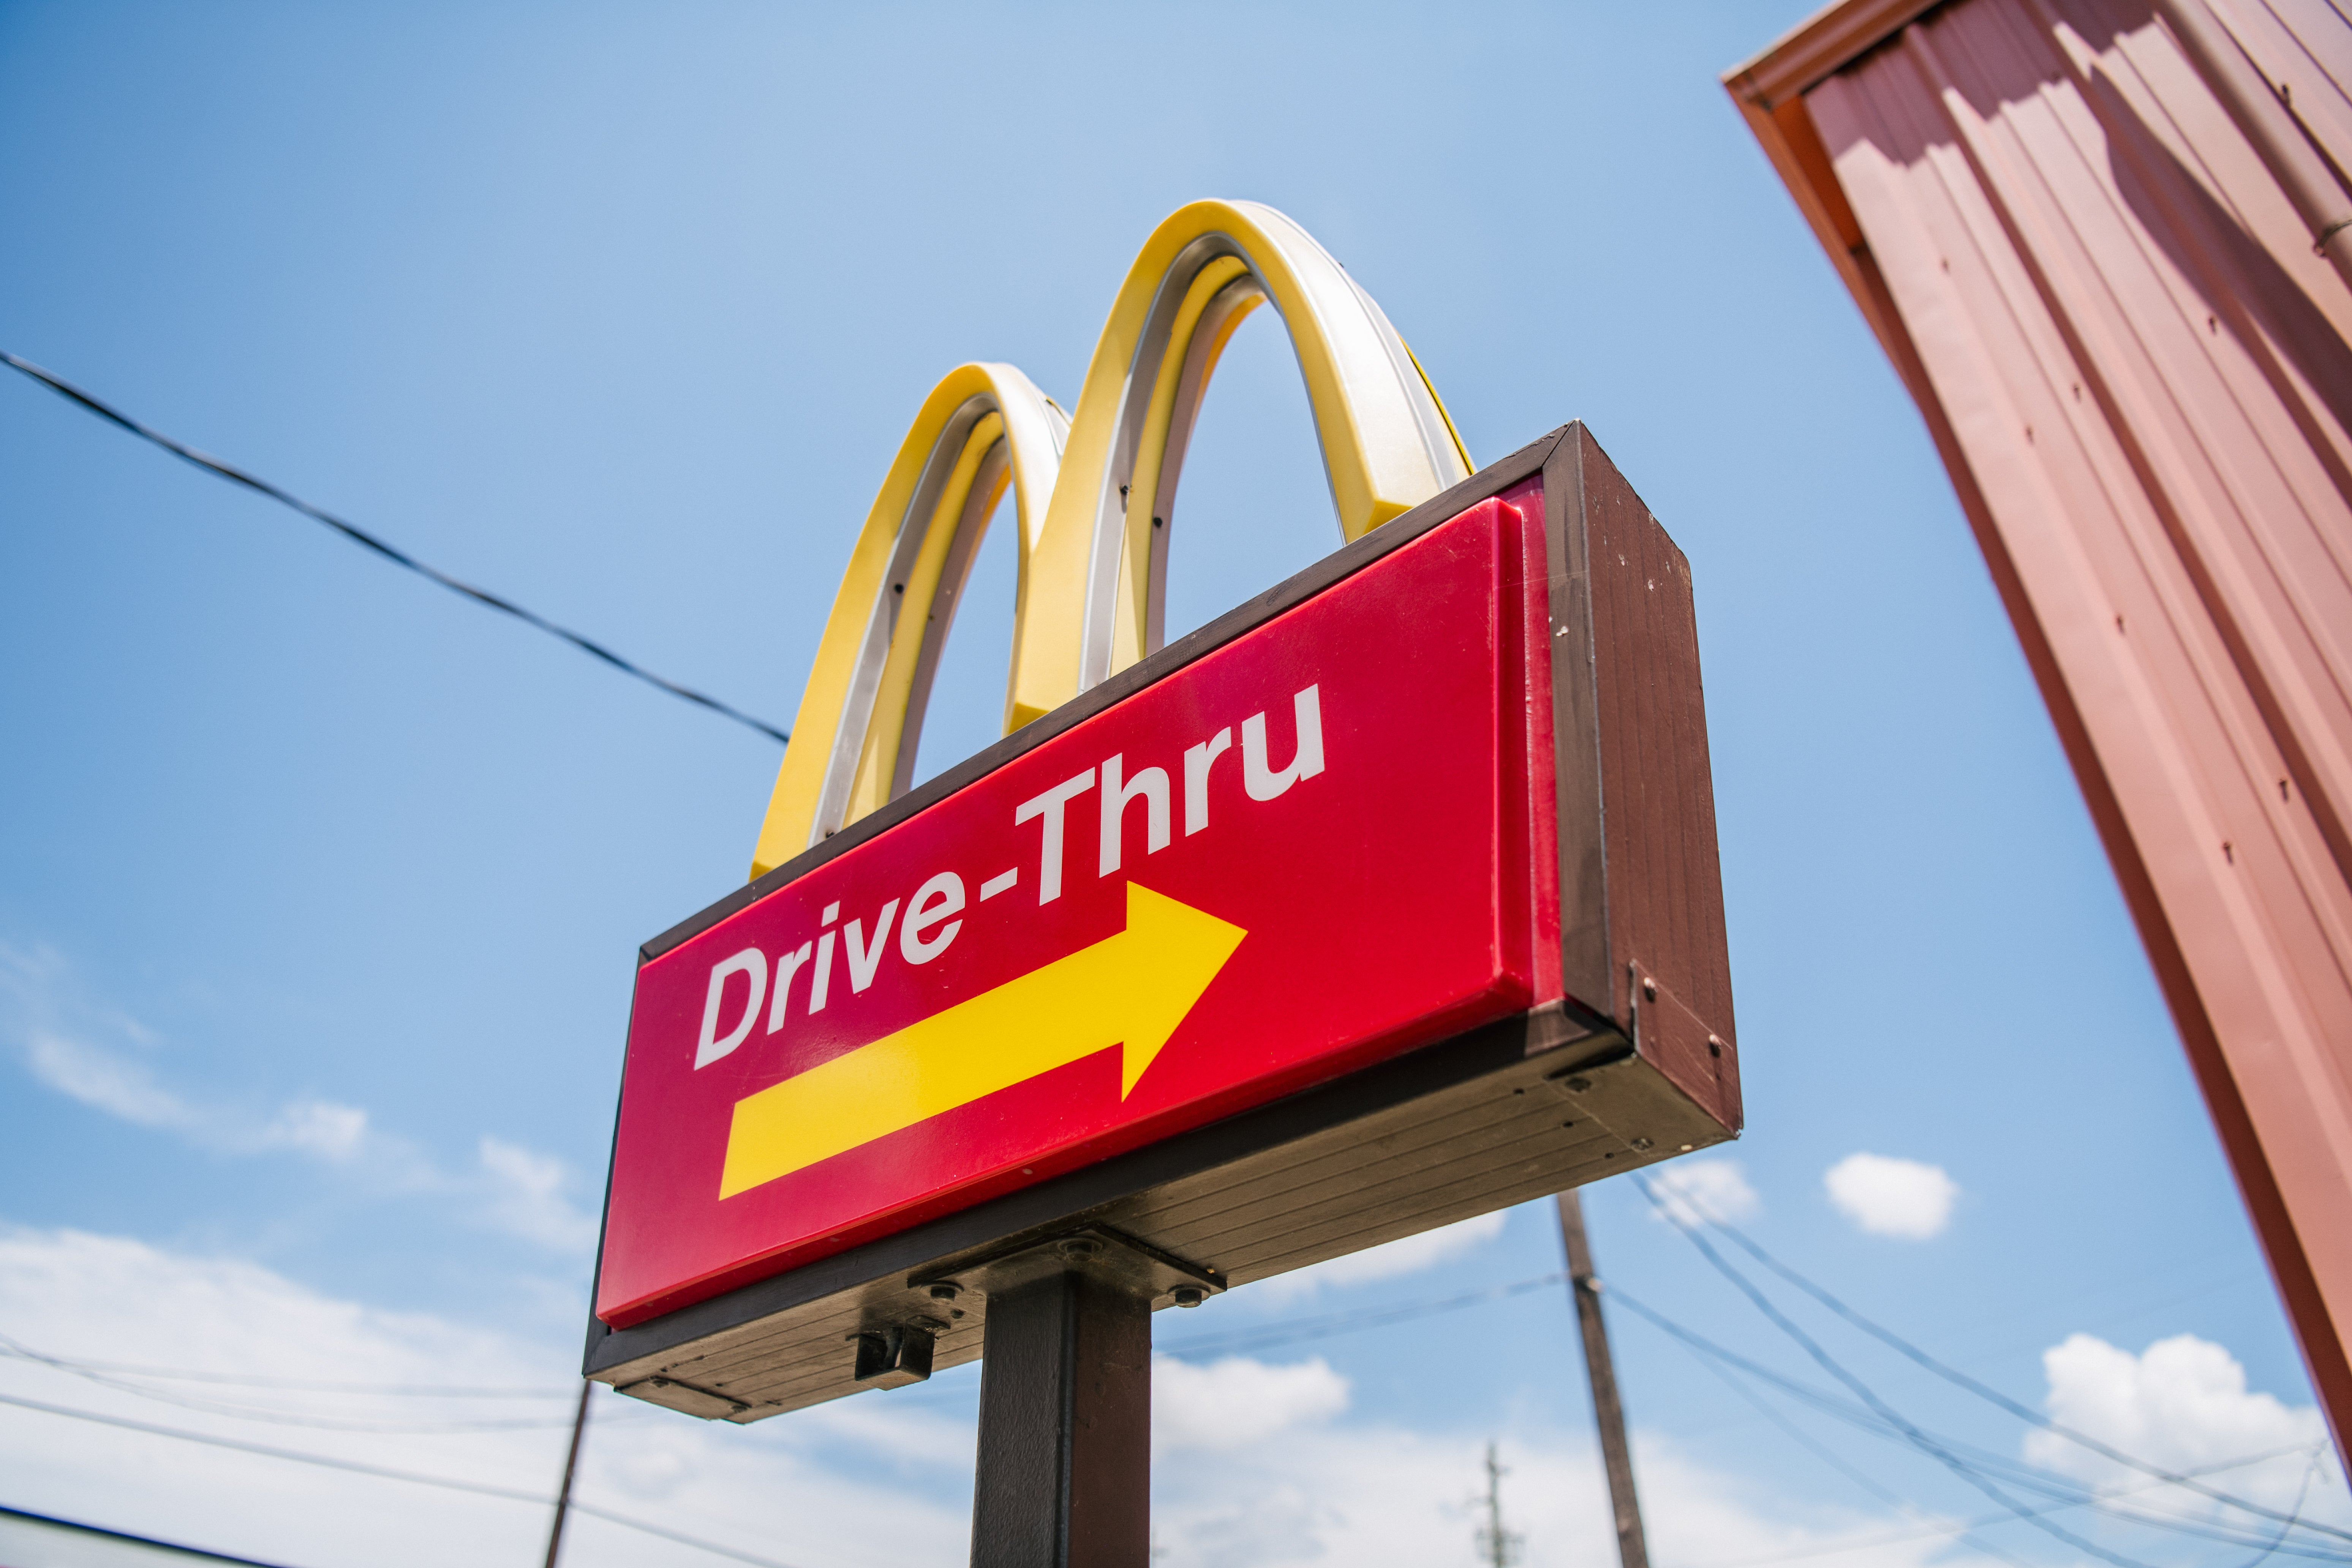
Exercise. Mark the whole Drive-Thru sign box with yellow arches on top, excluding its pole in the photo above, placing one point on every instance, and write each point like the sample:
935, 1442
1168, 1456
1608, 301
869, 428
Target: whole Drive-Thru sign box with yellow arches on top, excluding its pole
1377, 904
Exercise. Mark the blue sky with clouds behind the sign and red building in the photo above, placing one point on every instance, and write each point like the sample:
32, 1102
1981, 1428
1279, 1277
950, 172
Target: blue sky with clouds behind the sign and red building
321, 890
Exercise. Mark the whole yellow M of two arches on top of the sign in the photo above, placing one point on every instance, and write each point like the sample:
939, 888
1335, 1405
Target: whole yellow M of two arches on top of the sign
1093, 495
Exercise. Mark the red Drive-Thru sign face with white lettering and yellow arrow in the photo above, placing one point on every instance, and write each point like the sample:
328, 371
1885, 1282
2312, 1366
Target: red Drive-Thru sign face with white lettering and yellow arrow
1309, 850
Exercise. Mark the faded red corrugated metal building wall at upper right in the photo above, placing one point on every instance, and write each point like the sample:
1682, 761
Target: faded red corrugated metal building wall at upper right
2137, 368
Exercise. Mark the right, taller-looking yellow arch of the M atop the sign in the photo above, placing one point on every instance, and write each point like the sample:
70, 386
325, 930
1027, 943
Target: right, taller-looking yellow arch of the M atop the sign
1387, 438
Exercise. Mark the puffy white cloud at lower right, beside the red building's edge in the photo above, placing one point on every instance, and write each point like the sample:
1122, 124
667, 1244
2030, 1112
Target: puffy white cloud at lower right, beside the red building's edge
2184, 1405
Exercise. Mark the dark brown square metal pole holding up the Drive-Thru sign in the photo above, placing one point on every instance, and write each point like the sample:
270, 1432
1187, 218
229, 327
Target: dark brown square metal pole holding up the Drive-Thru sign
1064, 1468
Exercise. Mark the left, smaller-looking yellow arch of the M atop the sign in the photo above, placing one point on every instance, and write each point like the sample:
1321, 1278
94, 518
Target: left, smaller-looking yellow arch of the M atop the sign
982, 429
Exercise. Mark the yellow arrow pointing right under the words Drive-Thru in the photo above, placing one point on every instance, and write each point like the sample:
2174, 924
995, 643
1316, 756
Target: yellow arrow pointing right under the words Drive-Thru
1125, 991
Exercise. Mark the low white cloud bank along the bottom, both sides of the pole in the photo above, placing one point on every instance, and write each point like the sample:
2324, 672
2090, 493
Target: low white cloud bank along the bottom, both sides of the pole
1264, 1466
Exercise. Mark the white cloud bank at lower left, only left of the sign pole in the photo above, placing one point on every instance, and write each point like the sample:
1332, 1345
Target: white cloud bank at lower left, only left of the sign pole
836, 1489
